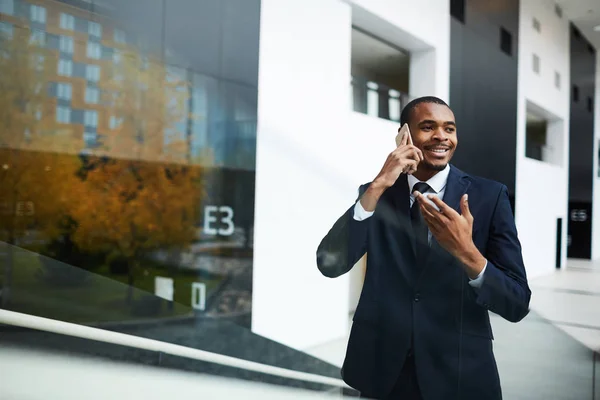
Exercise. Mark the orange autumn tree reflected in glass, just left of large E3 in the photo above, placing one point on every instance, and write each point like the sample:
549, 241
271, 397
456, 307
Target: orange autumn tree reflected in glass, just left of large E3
141, 192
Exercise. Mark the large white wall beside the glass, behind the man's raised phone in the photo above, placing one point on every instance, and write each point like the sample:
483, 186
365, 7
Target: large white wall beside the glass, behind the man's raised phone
313, 152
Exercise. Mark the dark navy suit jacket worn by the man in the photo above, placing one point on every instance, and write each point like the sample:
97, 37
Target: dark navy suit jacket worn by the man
432, 303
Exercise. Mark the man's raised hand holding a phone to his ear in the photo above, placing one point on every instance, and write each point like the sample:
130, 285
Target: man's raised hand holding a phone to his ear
404, 159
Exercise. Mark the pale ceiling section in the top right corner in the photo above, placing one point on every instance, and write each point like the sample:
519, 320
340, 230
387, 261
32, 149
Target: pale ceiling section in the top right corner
585, 14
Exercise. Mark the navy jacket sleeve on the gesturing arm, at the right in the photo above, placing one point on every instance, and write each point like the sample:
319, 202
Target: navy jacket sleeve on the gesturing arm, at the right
504, 290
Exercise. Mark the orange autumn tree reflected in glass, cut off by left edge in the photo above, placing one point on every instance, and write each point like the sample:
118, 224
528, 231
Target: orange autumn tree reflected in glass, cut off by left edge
37, 157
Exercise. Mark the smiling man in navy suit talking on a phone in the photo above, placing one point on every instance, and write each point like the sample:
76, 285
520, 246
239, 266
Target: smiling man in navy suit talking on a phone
442, 250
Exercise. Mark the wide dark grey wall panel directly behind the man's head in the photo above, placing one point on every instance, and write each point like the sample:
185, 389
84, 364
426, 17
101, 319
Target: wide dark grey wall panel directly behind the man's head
483, 89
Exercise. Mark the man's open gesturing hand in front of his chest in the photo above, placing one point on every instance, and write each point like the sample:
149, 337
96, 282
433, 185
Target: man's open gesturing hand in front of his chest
453, 231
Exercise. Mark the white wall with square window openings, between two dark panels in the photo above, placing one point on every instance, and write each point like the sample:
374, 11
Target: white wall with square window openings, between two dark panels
536, 209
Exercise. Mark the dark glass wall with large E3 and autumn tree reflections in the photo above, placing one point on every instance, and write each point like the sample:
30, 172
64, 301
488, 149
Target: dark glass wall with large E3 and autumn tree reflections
127, 155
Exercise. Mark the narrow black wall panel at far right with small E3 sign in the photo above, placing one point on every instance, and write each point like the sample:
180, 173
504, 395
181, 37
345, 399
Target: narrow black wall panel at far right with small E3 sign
581, 156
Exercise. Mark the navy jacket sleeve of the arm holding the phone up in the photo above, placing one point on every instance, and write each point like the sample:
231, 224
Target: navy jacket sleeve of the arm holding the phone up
345, 243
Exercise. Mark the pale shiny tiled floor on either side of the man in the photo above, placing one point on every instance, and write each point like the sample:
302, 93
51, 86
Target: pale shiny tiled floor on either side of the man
550, 354
